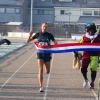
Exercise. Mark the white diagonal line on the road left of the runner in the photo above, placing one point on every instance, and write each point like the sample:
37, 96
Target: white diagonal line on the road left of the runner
17, 71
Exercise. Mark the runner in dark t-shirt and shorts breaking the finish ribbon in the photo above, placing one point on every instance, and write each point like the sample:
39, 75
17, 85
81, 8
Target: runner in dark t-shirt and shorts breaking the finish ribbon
43, 59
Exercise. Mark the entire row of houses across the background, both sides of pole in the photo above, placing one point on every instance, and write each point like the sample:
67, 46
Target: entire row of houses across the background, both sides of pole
70, 13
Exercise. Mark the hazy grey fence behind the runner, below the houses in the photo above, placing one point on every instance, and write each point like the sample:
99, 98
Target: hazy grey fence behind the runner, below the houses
59, 31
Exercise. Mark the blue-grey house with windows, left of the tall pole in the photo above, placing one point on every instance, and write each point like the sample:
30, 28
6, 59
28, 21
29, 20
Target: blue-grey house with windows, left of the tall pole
13, 11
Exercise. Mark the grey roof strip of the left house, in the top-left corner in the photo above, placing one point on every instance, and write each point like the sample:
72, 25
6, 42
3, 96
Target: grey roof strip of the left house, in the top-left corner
11, 2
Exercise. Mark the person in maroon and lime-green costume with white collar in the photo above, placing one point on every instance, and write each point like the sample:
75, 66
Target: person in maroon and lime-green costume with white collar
89, 57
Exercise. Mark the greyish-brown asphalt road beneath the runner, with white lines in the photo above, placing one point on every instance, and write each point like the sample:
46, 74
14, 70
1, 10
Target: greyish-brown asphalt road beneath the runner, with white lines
18, 77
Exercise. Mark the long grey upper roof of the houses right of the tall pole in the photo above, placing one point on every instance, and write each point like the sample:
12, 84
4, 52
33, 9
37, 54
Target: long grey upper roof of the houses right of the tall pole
75, 3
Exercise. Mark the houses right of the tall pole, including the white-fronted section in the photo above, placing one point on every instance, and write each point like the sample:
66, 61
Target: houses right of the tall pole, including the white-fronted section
63, 11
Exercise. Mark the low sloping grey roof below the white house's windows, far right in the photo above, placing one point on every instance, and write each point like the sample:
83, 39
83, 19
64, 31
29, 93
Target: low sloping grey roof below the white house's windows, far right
89, 19
